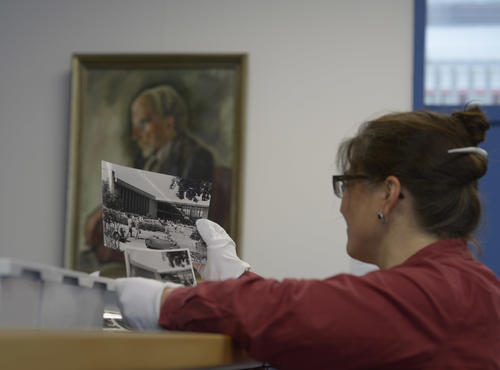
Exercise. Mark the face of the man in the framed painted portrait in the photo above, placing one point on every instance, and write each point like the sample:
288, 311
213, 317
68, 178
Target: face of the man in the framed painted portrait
146, 126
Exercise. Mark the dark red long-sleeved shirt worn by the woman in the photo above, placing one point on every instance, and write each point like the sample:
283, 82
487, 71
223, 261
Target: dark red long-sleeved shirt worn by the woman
438, 310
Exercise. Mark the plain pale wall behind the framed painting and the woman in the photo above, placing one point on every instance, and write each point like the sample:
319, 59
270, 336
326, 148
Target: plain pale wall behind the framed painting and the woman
317, 68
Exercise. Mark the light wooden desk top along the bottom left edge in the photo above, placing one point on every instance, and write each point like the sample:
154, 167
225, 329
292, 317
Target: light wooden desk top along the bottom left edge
41, 350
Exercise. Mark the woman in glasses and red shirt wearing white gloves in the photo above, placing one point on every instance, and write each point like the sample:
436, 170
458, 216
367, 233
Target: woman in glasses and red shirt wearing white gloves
410, 201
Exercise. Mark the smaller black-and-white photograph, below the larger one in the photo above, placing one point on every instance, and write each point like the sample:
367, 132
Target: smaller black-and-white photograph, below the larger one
164, 265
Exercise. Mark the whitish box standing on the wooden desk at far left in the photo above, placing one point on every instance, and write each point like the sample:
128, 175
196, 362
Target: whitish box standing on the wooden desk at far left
34, 296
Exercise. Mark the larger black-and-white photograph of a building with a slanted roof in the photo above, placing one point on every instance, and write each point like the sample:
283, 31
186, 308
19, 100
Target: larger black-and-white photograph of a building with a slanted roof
149, 210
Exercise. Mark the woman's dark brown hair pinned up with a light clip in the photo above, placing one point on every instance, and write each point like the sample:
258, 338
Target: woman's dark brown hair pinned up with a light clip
413, 146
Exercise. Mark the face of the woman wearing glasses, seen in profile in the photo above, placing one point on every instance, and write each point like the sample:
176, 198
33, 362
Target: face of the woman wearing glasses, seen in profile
360, 209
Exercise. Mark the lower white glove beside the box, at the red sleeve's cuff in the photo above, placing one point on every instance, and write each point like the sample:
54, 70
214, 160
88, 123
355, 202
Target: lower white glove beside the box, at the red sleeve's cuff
139, 301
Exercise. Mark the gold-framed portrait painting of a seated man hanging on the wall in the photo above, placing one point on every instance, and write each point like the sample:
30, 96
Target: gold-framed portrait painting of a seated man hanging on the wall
180, 115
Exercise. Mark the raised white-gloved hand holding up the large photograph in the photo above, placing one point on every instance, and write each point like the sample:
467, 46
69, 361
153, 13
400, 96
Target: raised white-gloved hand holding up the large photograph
222, 261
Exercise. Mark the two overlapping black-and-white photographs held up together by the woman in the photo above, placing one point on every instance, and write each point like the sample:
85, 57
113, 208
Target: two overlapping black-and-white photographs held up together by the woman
151, 217
